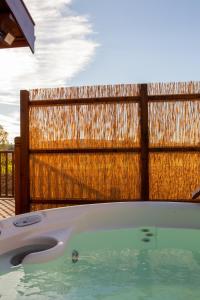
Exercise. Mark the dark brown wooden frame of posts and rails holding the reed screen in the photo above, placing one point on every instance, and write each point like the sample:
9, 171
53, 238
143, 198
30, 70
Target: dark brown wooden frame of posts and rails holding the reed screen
142, 99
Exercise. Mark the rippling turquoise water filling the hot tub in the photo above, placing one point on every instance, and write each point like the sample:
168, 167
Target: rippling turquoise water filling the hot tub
159, 264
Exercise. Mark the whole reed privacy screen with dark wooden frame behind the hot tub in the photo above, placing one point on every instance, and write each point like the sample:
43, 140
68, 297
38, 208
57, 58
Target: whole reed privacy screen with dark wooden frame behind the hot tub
108, 143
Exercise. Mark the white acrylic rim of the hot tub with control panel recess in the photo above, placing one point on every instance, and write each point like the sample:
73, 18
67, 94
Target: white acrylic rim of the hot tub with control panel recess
58, 225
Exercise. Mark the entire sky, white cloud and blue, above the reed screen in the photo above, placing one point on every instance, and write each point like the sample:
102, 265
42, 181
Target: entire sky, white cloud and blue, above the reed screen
87, 42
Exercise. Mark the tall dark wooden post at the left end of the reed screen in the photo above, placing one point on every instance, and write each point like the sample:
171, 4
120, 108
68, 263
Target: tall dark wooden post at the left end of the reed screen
24, 121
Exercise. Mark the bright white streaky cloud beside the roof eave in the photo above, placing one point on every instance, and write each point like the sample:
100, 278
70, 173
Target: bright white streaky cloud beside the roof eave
63, 48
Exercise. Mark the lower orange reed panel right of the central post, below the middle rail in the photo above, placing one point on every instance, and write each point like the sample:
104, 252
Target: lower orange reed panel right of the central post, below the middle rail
173, 176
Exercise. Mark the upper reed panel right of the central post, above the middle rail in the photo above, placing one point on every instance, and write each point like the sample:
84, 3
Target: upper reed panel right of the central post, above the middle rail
174, 123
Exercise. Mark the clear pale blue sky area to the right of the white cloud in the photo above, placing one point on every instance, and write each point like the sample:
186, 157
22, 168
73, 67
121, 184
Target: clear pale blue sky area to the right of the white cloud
142, 41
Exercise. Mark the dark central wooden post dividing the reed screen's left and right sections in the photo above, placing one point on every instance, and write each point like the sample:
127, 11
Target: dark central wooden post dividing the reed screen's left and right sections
144, 143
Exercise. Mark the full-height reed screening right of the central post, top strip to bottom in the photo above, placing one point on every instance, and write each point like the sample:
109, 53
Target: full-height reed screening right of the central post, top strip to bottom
174, 128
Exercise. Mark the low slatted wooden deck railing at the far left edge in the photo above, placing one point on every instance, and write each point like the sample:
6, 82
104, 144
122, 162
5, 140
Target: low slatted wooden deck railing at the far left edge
6, 174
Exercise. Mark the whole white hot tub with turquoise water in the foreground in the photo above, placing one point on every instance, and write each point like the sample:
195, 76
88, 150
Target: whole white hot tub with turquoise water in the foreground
102, 251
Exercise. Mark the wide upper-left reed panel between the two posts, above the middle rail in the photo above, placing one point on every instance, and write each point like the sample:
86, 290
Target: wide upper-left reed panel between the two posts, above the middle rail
84, 126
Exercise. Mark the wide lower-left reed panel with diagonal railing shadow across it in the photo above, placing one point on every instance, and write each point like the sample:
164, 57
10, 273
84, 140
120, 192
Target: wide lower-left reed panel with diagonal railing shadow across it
114, 176
